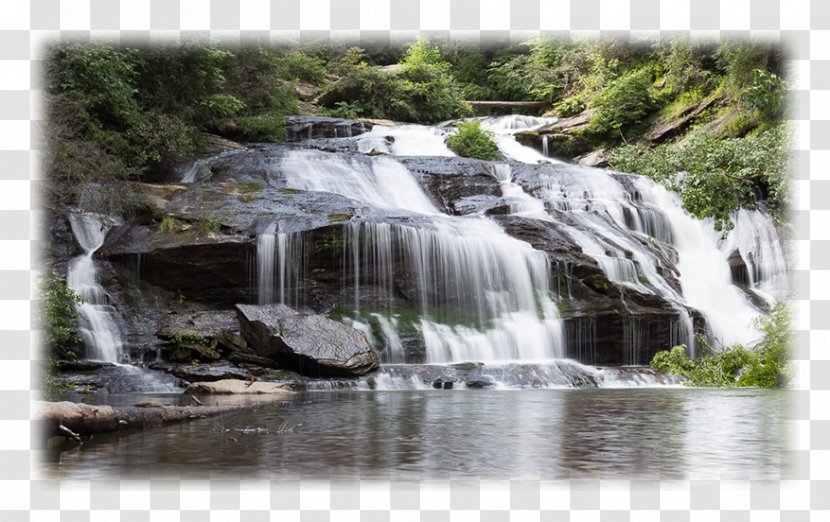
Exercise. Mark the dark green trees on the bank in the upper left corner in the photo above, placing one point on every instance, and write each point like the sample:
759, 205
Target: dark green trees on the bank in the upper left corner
121, 113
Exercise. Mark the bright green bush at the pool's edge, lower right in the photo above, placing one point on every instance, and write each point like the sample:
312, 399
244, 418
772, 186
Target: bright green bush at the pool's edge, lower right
765, 366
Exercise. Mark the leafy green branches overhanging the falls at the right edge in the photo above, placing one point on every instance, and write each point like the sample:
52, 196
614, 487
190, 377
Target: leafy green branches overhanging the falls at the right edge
721, 176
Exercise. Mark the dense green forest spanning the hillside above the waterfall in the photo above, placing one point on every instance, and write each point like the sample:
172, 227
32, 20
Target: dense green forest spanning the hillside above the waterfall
711, 112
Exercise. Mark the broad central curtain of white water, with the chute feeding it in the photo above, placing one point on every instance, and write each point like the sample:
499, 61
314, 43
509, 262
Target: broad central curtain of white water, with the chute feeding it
483, 295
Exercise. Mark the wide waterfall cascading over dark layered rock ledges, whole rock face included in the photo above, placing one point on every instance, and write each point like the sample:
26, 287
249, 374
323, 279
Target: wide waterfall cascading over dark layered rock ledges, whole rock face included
518, 264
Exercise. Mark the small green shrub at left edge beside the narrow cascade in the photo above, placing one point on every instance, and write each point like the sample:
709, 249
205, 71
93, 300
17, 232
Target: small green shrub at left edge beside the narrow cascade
58, 313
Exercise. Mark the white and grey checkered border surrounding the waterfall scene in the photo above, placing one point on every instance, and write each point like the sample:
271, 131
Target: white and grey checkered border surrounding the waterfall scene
803, 27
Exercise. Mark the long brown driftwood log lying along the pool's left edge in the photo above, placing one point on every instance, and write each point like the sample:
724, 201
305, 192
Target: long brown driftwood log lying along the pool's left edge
73, 419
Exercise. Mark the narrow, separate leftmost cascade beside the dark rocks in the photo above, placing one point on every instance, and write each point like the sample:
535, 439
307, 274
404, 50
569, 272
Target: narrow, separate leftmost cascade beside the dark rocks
99, 330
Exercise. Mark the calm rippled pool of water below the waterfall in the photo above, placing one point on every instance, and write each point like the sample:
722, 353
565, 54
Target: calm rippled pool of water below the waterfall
659, 433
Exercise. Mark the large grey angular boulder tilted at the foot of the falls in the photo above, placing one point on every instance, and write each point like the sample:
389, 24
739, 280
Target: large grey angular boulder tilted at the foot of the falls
309, 344
